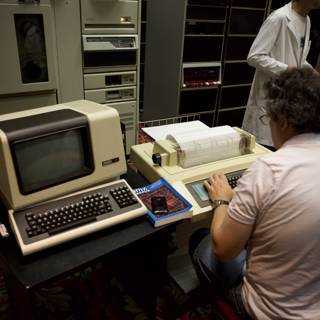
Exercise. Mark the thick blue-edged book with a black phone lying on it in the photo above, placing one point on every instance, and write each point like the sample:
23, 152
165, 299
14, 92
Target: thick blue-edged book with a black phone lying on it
178, 207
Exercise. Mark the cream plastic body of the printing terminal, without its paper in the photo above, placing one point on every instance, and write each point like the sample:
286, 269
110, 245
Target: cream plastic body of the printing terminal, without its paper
160, 159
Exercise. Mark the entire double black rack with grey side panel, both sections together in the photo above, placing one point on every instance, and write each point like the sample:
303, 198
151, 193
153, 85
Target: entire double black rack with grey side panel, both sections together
195, 40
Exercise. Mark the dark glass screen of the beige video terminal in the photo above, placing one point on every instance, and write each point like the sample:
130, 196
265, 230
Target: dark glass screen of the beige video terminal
49, 160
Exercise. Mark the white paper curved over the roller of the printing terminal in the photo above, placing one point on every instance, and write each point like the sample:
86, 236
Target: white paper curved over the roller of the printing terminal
203, 146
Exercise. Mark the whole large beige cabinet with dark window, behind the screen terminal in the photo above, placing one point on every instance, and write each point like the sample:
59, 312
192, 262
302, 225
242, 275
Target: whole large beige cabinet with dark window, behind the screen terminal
41, 64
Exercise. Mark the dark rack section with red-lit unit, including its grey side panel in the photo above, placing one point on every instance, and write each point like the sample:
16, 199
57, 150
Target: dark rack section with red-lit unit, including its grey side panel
184, 45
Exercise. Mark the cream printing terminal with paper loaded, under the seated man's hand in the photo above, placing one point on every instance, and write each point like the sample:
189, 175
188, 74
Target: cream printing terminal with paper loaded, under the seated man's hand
163, 159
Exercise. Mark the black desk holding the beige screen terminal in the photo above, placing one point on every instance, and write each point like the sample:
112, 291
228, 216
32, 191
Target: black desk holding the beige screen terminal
24, 274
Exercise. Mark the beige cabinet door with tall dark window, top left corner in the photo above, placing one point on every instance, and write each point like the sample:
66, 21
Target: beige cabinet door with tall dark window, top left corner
28, 53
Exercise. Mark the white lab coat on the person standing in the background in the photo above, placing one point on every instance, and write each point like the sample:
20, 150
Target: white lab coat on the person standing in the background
275, 48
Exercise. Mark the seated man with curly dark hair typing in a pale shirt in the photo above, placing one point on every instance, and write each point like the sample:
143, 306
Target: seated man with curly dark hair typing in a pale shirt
263, 246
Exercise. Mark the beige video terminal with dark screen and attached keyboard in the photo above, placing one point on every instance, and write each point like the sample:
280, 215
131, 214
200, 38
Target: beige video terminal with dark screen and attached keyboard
52, 151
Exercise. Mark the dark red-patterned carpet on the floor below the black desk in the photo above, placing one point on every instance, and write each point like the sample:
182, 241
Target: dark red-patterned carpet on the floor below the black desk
109, 291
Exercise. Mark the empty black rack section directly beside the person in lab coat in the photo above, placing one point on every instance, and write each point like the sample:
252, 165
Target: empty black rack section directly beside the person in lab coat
245, 19
